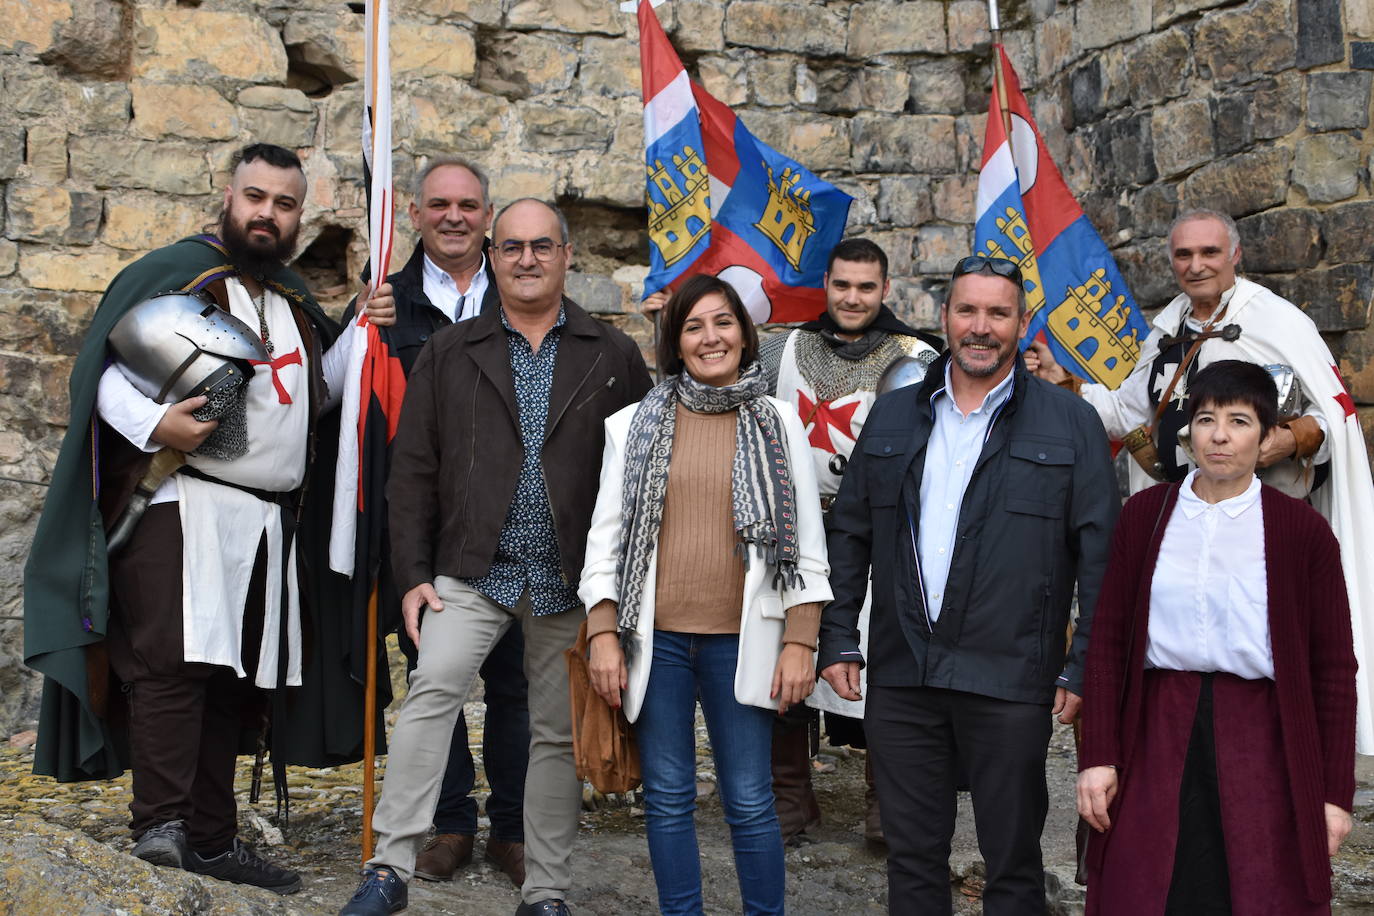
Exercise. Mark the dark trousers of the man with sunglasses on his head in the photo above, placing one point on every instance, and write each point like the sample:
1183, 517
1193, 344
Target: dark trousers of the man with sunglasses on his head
920, 738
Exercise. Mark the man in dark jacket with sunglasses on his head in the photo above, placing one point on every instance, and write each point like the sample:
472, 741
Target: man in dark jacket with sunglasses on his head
978, 502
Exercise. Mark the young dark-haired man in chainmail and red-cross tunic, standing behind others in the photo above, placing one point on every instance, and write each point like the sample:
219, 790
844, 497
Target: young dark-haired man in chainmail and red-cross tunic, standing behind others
833, 370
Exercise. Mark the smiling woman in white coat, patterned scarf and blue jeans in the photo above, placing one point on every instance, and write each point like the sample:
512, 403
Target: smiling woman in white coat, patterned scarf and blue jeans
704, 473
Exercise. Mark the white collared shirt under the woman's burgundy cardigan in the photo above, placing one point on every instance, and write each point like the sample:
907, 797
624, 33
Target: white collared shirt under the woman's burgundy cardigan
1210, 606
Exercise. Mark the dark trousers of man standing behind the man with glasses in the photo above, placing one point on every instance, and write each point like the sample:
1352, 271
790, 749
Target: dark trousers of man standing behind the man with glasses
505, 748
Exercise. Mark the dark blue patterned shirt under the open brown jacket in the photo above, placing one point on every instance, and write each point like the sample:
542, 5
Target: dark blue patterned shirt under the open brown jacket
527, 553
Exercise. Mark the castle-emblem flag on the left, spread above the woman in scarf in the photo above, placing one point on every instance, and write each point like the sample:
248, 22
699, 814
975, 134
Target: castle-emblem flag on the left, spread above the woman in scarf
722, 203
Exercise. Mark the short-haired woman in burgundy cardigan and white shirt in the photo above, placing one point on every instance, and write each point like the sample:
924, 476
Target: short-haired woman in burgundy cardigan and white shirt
1218, 760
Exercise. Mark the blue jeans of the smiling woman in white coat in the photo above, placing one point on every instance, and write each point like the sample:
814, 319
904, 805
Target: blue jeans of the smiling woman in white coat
688, 668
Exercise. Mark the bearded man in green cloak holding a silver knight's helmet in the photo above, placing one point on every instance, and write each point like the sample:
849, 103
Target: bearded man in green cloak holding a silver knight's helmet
157, 641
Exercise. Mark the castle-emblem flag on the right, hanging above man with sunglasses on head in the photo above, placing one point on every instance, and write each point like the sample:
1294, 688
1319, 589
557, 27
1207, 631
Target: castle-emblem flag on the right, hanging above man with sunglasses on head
1078, 300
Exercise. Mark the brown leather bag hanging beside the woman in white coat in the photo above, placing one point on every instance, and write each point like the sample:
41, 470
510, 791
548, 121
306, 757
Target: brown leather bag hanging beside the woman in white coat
604, 745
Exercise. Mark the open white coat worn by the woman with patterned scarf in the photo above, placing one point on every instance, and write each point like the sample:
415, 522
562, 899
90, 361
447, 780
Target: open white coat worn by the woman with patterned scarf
763, 612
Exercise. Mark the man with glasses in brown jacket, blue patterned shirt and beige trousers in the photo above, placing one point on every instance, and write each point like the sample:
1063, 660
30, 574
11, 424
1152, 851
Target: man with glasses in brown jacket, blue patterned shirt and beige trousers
494, 480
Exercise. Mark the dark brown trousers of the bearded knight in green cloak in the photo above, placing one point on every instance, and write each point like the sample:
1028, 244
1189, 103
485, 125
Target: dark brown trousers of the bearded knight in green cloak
186, 719
